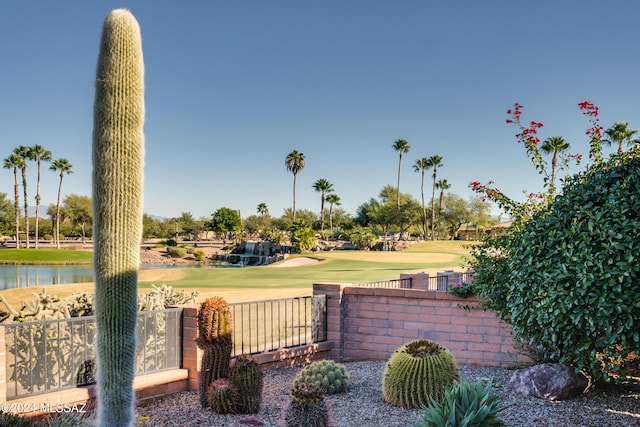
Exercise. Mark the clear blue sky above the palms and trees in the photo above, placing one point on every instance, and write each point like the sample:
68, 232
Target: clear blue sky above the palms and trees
233, 87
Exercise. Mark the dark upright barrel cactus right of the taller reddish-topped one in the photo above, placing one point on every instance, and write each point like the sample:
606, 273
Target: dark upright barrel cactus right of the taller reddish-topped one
247, 378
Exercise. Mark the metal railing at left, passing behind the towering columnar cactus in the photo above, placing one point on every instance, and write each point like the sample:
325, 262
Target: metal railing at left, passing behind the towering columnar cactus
46, 356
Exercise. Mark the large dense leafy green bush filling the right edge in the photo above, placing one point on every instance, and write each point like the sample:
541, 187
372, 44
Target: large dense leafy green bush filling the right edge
567, 279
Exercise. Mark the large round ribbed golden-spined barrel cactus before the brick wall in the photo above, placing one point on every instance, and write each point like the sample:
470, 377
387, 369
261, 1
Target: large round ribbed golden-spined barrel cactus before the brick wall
417, 372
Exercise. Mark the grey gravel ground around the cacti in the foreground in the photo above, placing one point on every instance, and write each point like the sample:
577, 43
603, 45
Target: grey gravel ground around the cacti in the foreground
363, 405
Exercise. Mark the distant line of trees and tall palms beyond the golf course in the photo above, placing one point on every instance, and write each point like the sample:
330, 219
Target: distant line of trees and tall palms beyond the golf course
390, 213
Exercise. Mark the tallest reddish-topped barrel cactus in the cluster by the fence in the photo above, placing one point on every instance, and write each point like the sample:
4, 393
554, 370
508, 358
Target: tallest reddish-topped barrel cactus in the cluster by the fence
215, 338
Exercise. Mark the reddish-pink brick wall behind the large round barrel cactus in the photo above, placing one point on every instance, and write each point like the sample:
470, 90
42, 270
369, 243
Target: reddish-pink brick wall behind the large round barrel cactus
371, 323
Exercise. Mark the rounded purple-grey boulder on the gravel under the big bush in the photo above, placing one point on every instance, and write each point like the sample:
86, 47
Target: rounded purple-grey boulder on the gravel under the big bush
550, 381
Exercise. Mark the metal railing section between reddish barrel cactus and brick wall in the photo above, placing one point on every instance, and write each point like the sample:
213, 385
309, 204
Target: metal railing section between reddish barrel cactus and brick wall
269, 325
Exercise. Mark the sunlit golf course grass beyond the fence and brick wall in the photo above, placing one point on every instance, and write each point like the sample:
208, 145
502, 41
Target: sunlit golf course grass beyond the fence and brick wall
256, 283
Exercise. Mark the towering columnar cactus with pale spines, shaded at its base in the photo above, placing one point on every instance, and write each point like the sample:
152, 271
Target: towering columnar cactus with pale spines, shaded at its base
118, 157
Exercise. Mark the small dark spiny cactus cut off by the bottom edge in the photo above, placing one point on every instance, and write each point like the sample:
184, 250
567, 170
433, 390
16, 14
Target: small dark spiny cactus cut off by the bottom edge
307, 407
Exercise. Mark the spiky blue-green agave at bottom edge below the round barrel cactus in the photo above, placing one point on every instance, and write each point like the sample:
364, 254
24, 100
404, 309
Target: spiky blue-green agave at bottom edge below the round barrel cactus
464, 405
